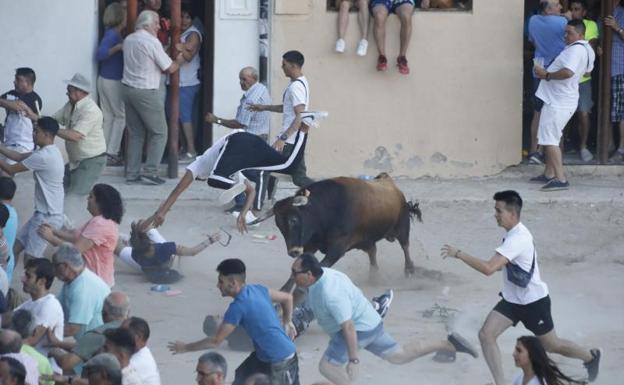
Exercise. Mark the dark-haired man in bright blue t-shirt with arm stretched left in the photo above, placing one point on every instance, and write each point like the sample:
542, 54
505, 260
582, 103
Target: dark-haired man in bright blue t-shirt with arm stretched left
253, 310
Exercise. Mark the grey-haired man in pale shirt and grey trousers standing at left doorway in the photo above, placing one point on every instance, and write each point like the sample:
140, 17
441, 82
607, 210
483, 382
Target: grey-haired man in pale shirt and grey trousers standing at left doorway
144, 62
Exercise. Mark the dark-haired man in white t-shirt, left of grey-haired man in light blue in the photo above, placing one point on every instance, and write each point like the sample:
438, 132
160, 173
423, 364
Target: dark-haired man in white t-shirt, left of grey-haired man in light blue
46, 310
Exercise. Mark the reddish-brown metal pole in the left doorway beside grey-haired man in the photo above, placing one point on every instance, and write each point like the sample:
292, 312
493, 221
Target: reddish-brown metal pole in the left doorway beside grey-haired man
174, 93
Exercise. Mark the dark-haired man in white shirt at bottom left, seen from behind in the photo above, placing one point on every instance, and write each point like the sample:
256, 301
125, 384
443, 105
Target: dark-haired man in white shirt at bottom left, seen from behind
142, 360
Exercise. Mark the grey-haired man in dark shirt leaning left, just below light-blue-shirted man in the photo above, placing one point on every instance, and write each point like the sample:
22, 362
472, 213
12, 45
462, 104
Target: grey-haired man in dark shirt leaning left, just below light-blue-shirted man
69, 354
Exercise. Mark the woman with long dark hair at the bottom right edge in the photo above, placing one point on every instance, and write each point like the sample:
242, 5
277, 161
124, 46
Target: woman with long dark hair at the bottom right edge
537, 368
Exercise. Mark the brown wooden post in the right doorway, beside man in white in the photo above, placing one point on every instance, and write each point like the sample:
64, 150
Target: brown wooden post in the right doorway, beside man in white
604, 102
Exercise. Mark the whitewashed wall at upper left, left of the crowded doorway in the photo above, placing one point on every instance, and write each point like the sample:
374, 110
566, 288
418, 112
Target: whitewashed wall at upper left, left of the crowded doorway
55, 38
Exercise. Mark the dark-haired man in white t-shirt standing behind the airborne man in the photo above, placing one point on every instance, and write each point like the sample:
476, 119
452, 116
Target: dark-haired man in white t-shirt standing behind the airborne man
295, 101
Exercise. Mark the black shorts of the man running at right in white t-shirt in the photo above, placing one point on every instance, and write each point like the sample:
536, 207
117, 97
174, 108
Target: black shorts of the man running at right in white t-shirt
535, 316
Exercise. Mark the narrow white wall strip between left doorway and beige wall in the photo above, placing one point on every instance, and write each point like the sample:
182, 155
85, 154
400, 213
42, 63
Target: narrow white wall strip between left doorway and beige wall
236, 46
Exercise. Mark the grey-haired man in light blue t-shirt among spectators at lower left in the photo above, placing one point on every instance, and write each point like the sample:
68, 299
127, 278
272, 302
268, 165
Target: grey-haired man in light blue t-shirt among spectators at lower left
83, 292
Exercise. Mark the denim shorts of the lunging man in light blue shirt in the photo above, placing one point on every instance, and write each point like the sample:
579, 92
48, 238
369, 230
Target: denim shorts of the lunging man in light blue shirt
376, 341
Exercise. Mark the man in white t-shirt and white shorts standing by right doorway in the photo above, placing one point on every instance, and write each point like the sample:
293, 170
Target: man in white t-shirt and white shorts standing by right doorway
559, 91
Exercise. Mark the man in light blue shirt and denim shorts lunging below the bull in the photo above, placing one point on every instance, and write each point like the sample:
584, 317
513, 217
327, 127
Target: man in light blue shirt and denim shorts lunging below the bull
352, 323
